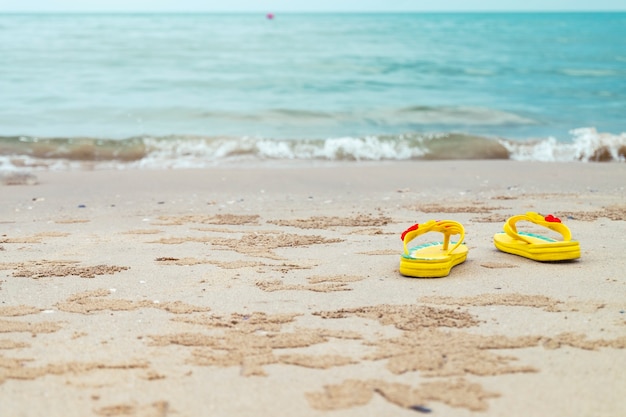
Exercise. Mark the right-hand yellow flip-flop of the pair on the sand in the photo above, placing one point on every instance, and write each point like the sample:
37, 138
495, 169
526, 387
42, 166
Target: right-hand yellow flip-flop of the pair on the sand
534, 246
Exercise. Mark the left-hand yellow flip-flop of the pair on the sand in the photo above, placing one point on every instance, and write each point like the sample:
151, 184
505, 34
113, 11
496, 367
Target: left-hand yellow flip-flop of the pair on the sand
434, 259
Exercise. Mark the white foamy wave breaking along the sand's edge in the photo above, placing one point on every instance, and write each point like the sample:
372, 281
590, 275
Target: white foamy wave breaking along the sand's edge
179, 151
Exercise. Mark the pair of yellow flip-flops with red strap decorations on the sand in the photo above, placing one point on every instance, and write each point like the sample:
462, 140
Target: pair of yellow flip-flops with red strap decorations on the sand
436, 259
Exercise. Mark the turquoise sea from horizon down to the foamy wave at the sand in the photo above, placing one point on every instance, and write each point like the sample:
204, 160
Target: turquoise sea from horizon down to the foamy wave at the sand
196, 90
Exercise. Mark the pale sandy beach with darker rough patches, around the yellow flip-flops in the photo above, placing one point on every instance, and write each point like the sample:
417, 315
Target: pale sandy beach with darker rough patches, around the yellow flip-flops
274, 291
